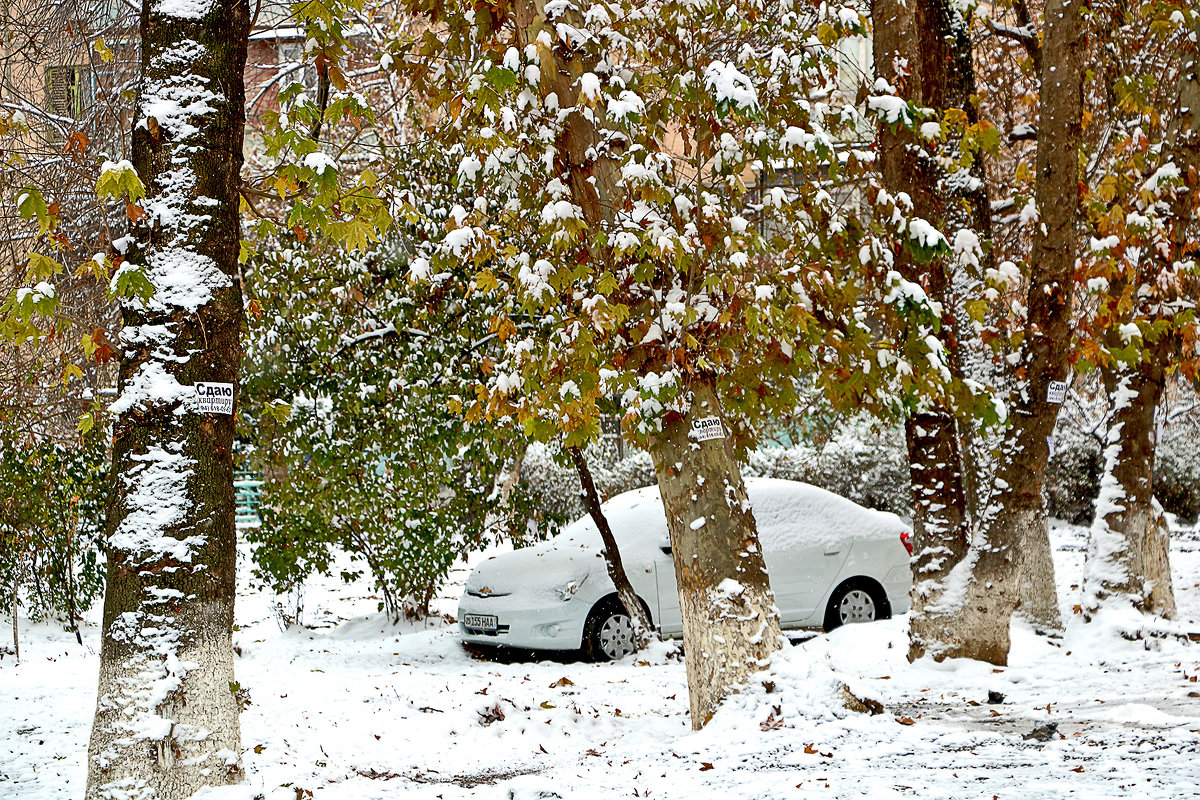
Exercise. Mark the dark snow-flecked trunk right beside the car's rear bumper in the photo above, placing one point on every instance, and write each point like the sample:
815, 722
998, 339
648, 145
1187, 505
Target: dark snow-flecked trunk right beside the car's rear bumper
923, 51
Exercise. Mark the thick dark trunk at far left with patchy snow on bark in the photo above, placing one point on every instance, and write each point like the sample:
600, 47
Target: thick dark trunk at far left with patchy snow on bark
167, 714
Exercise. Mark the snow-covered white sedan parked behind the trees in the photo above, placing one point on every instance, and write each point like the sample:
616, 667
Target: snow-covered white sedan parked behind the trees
831, 562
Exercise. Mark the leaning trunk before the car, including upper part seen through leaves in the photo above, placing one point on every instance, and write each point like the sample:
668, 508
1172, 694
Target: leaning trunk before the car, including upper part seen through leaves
730, 622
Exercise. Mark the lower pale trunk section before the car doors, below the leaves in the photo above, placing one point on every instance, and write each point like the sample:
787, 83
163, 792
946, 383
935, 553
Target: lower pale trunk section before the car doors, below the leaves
730, 621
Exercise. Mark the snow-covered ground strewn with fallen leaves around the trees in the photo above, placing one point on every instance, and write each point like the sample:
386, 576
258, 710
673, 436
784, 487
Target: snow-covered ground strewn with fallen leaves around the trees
357, 708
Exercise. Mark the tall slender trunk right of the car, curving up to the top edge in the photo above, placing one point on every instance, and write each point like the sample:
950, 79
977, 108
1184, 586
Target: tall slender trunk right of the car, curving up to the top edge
1012, 554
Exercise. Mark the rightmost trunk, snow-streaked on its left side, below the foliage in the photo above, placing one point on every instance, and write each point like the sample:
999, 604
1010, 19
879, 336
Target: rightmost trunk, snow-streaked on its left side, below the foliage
1127, 554
